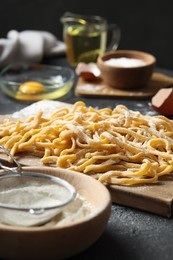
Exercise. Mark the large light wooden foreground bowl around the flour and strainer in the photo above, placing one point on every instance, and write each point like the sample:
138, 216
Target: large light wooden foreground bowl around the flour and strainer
53, 242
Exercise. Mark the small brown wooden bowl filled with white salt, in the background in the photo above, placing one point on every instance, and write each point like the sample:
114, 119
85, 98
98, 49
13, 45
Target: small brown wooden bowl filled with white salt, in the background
126, 77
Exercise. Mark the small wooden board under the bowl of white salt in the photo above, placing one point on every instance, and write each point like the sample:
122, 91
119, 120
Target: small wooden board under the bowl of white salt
99, 88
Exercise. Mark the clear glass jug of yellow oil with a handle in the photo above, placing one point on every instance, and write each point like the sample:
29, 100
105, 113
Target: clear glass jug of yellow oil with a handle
86, 37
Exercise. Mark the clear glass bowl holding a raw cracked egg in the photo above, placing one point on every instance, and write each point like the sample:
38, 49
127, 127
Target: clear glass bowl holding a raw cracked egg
32, 82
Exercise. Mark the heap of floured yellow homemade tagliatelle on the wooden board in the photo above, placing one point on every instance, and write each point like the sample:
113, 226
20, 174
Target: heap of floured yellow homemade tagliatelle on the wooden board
116, 146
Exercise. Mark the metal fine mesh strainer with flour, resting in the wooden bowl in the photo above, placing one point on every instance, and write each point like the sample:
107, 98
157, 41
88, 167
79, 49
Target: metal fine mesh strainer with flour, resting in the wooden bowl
28, 198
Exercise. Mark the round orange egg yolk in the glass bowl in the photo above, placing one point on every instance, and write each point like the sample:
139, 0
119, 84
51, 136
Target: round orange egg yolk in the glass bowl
31, 87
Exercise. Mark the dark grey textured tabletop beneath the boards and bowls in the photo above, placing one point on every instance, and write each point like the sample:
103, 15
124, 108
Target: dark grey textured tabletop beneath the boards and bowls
130, 233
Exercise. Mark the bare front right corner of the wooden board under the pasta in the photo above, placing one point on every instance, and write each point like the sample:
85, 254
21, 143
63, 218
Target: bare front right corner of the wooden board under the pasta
156, 198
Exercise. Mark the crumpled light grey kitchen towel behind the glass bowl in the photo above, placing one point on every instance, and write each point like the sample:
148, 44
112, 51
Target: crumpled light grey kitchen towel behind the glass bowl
29, 46
